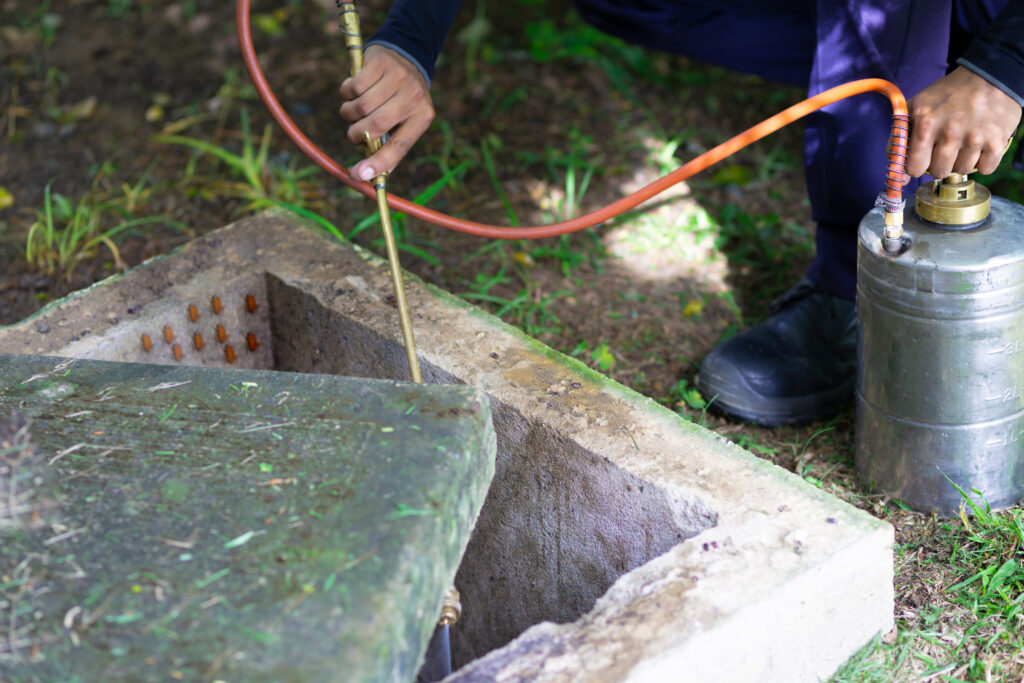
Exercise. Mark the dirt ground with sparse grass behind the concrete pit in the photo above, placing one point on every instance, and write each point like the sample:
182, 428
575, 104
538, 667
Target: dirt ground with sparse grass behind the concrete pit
538, 118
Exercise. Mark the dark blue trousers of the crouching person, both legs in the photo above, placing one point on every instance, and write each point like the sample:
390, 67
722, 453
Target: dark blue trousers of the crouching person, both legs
821, 45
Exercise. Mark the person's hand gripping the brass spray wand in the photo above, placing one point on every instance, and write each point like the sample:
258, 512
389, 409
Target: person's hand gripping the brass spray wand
389, 96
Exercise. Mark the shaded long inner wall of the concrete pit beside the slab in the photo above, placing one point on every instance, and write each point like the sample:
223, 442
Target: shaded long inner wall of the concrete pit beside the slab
560, 525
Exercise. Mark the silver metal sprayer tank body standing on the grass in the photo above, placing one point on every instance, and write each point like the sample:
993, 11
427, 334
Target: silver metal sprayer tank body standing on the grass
941, 372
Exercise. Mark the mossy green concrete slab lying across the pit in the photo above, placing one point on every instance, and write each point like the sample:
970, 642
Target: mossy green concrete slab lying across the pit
214, 524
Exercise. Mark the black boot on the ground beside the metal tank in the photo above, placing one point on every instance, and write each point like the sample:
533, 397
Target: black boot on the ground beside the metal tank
796, 367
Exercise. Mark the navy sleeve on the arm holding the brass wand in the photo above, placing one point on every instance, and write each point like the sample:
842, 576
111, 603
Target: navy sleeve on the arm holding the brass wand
416, 29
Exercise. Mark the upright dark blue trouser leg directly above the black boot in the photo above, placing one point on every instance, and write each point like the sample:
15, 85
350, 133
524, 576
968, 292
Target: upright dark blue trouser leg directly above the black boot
845, 145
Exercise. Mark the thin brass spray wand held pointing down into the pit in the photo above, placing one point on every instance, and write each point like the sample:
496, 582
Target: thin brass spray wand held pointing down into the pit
354, 40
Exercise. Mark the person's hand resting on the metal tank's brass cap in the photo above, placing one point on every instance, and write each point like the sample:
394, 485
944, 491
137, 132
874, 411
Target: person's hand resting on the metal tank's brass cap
960, 123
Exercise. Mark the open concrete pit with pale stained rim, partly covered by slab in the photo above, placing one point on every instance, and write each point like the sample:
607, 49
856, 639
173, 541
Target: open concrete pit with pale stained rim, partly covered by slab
618, 541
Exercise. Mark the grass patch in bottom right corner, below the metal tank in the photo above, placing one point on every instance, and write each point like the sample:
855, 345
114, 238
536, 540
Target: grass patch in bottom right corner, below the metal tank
969, 629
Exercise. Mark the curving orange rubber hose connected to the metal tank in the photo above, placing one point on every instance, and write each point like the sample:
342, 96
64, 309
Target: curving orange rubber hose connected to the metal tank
894, 175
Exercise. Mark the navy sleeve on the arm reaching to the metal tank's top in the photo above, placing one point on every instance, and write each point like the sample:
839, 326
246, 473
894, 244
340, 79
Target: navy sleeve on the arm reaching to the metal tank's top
998, 55
